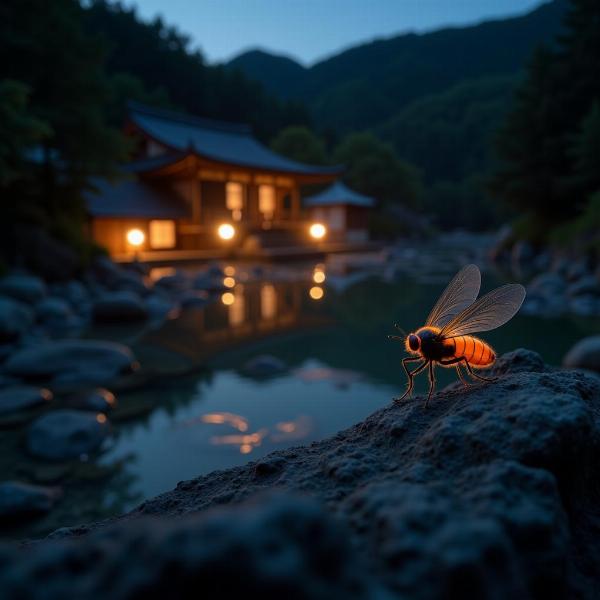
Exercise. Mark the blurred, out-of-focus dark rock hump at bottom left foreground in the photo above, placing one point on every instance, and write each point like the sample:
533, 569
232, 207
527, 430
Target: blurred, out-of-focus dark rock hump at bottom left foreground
272, 549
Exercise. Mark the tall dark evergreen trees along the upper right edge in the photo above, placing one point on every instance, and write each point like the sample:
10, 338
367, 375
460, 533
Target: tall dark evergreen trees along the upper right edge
547, 145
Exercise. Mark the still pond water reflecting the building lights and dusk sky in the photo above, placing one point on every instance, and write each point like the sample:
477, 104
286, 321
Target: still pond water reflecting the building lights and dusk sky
326, 324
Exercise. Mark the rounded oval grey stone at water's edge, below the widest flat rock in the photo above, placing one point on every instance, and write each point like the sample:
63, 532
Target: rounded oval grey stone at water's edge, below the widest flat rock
66, 434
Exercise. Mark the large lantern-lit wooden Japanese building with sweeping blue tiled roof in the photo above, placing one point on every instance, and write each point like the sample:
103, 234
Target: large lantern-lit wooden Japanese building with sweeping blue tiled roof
196, 185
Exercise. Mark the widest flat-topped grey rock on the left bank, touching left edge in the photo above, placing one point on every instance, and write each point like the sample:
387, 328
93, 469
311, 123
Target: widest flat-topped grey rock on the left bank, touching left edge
72, 361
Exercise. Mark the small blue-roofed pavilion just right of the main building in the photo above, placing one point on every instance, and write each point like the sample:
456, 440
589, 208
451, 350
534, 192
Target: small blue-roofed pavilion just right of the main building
344, 212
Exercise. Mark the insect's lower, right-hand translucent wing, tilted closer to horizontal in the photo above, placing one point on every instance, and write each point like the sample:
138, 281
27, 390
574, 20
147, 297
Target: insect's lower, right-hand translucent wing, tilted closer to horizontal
490, 311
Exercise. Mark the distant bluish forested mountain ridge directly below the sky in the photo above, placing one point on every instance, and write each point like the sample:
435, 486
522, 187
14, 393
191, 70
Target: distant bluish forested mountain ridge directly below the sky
368, 84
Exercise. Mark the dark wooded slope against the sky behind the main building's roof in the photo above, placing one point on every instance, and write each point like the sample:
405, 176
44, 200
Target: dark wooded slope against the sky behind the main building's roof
161, 57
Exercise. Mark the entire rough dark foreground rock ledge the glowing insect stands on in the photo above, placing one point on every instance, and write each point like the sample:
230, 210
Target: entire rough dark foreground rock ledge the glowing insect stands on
492, 492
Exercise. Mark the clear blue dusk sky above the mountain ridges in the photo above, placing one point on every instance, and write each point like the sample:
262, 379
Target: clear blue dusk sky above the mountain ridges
311, 29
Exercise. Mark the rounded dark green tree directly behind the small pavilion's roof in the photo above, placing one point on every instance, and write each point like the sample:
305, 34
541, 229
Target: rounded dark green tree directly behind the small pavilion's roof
373, 168
